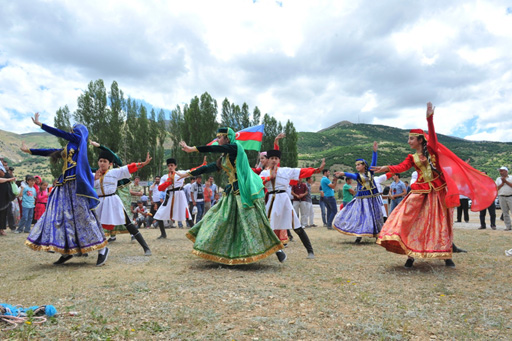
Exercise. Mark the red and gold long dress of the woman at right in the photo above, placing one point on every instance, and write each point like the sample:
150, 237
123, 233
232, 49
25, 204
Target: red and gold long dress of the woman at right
421, 226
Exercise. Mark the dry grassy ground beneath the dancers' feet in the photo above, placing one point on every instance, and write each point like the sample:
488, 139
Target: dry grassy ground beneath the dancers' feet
348, 292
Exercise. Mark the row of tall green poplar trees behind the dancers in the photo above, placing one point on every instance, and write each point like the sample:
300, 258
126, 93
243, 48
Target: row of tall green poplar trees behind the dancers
127, 127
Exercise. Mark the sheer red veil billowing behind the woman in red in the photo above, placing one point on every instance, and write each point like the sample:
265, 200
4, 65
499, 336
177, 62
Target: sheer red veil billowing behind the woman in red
463, 179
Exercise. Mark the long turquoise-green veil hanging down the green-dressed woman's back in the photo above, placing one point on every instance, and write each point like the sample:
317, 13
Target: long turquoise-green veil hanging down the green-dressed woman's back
249, 183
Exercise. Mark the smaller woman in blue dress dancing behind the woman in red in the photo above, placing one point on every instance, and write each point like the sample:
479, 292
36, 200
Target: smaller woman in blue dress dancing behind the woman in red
362, 216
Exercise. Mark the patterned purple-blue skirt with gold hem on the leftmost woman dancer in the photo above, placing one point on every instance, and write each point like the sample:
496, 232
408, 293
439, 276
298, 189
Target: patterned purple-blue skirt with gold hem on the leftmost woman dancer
67, 226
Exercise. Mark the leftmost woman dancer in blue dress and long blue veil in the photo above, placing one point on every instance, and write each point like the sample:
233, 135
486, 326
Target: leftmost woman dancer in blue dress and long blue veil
69, 225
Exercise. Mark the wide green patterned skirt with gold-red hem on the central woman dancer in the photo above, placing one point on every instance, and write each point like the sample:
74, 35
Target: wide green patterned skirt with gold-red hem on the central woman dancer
231, 234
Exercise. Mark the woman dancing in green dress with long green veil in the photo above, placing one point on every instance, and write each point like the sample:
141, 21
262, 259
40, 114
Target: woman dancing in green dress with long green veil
236, 229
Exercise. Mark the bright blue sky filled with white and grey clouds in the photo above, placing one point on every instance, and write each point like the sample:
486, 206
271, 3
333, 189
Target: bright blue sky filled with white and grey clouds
315, 63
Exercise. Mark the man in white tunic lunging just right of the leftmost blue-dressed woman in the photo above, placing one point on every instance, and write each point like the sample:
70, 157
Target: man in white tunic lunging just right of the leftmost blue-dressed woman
111, 211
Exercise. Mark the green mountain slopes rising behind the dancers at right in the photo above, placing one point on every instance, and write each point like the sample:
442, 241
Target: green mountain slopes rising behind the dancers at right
342, 143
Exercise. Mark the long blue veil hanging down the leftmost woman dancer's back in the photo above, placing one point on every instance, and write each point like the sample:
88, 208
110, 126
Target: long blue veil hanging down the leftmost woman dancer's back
84, 177
